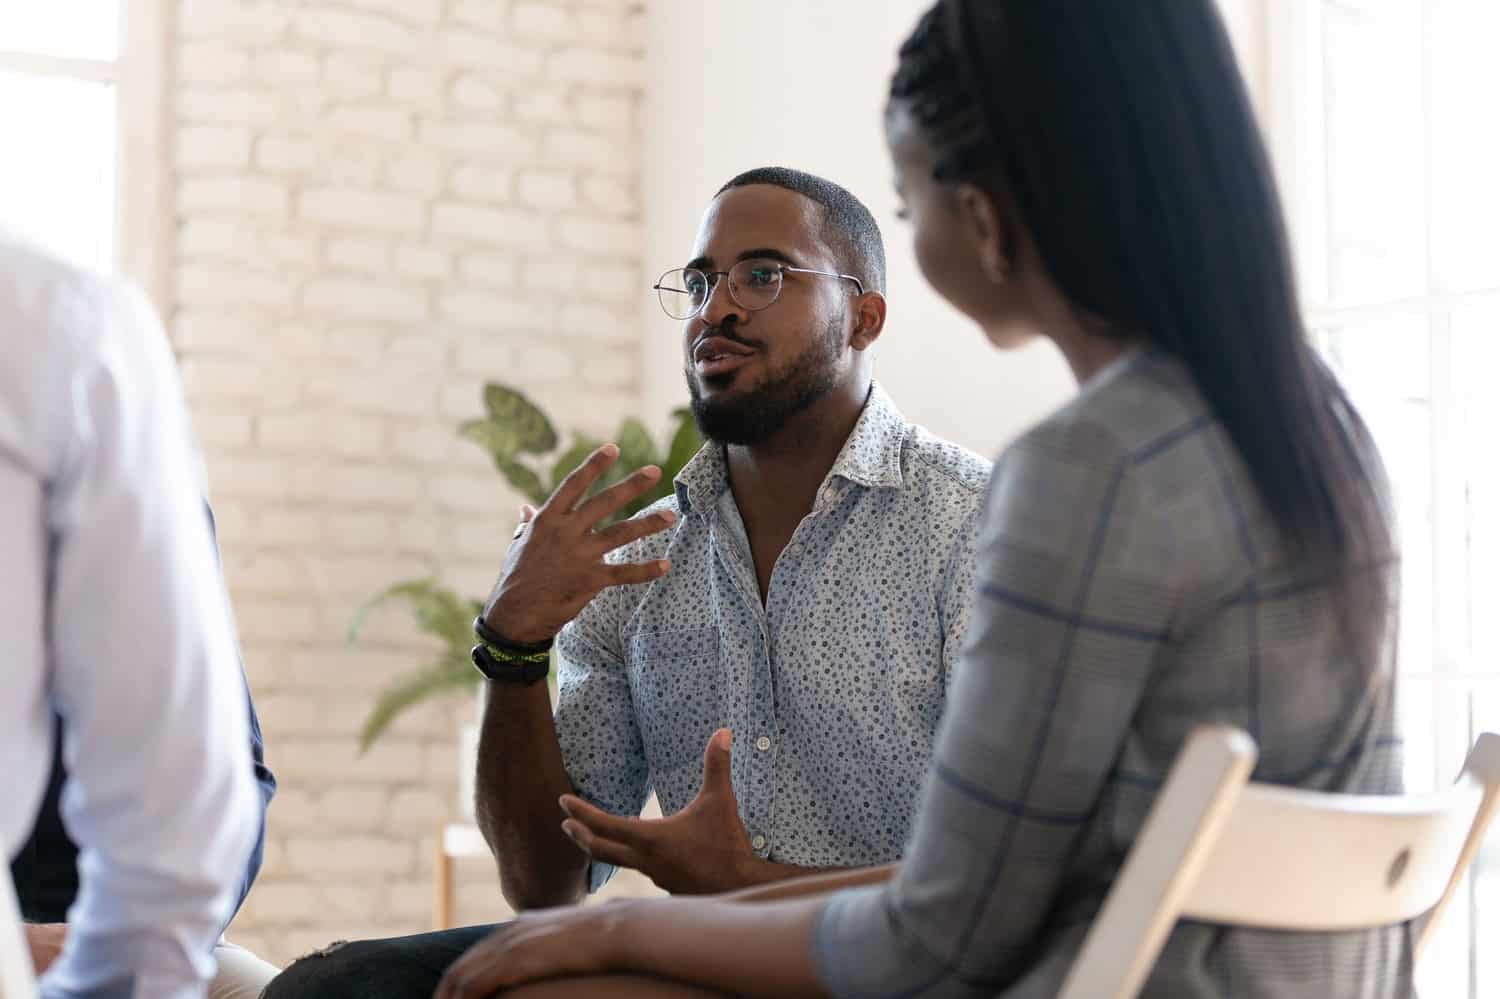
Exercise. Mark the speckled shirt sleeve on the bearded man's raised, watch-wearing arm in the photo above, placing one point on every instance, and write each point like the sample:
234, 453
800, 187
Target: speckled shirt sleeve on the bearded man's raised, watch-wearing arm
596, 719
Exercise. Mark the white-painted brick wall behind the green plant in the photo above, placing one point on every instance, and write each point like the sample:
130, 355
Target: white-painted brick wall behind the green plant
382, 205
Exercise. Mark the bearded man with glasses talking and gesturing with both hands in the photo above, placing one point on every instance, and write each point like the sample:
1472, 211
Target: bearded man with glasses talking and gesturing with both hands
808, 589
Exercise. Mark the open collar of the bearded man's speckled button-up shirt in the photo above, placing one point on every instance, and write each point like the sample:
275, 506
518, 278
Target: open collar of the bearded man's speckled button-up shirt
871, 458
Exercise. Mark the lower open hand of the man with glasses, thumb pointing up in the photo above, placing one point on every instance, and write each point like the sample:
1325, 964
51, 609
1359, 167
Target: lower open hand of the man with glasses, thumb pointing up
701, 850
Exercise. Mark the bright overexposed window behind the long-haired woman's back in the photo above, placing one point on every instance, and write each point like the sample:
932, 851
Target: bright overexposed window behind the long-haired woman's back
1382, 118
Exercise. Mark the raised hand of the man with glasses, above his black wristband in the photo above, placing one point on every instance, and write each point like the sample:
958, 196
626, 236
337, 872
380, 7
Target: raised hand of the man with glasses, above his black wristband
557, 563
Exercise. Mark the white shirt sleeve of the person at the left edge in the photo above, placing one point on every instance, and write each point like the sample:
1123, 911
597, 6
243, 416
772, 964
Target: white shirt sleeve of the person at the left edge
161, 794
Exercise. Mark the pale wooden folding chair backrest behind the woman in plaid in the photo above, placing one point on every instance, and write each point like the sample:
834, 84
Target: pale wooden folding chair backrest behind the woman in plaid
1220, 850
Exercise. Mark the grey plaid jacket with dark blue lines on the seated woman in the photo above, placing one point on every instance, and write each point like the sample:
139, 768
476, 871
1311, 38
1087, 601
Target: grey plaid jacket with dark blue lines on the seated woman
1132, 587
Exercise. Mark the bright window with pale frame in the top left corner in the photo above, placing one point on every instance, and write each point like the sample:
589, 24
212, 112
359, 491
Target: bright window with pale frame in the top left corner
83, 170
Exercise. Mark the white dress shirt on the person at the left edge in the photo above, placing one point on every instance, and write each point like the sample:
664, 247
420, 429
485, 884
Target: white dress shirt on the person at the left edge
113, 616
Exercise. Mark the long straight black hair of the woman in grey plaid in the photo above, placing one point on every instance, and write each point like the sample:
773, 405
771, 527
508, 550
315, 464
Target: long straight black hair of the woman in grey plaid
1126, 136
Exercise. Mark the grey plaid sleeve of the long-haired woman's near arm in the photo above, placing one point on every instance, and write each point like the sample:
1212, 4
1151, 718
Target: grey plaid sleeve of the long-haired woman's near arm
1075, 601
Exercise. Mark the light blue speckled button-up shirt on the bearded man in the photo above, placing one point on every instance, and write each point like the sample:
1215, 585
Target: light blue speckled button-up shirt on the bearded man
833, 688
